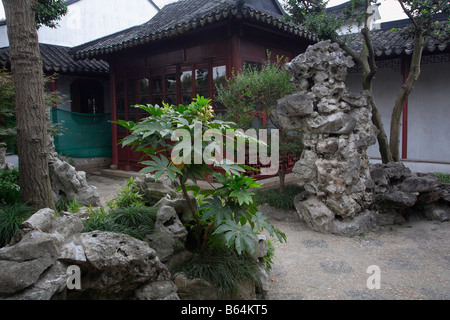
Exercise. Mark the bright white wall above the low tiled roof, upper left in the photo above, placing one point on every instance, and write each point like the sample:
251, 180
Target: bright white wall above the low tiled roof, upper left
88, 20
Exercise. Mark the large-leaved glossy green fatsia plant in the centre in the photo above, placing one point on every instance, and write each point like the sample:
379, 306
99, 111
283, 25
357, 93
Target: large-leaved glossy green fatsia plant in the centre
166, 138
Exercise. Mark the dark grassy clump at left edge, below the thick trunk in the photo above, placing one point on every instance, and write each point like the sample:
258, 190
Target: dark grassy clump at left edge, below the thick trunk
11, 217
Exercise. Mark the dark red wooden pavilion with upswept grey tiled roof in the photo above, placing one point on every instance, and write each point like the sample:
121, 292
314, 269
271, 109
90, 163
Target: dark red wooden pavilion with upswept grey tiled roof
186, 49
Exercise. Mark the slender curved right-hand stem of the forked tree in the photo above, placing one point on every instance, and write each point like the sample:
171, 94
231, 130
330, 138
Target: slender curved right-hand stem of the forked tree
403, 95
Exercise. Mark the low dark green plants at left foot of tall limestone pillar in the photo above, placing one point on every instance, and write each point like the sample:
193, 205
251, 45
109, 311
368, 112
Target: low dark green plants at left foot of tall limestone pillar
273, 197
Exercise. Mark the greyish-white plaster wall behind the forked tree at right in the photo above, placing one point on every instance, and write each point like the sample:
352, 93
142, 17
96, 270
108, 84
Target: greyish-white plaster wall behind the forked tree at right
428, 111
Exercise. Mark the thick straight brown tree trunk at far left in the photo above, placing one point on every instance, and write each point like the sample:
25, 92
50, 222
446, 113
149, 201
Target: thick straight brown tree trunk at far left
26, 64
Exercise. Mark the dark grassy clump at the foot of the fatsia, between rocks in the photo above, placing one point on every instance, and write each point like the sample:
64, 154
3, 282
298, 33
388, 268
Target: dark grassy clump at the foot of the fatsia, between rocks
224, 269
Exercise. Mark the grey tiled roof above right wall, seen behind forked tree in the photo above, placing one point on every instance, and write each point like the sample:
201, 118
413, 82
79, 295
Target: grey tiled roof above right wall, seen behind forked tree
388, 43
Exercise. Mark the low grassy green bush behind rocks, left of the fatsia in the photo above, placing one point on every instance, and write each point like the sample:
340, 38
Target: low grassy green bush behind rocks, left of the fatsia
136, 221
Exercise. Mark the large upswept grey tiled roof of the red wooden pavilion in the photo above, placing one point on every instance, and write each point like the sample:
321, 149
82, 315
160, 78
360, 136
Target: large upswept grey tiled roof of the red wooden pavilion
186, 15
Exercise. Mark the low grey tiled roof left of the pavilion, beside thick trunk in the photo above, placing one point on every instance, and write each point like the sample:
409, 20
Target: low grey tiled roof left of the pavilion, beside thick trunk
57, 59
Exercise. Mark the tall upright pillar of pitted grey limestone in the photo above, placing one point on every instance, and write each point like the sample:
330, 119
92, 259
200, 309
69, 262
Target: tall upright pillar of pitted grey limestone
337, 130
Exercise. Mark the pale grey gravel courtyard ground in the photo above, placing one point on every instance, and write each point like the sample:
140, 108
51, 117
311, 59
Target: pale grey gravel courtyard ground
413, 259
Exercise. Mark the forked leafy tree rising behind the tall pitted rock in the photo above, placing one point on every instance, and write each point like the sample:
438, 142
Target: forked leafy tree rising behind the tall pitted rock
422, 13
